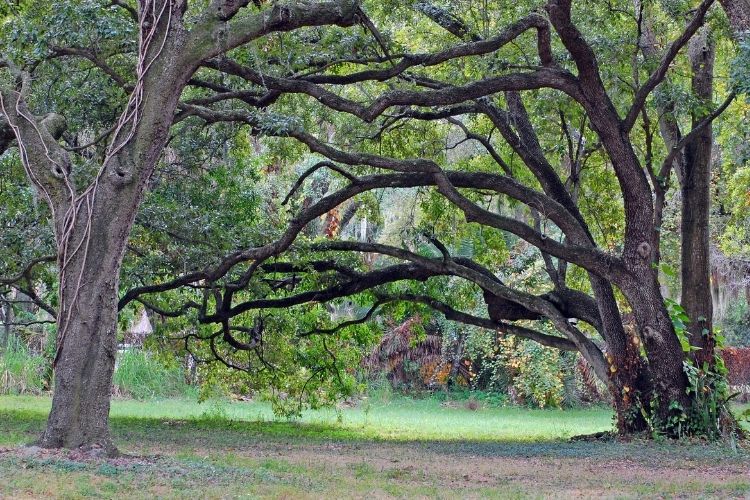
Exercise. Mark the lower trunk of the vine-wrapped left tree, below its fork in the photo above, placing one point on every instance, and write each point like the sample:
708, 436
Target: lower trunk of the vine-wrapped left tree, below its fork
90, 263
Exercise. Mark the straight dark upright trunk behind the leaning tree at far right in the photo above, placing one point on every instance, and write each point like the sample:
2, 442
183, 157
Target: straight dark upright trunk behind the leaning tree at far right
696, 200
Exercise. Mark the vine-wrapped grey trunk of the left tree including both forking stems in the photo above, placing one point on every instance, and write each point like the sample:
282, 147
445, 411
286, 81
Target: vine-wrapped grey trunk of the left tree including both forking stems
91, 229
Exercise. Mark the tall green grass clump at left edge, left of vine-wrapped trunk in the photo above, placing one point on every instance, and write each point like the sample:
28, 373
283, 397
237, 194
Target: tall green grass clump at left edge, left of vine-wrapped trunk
21, 371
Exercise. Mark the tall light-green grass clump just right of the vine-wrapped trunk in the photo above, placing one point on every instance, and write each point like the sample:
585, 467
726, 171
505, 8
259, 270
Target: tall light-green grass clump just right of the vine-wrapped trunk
139, 375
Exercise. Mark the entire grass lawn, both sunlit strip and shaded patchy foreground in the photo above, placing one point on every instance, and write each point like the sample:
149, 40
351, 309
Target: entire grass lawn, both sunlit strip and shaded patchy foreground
402, 449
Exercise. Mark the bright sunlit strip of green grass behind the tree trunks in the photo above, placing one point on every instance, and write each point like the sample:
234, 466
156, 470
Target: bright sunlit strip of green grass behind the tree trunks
399, 420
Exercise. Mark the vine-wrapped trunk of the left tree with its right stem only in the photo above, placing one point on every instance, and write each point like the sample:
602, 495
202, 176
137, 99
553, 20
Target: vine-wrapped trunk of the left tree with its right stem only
91, 253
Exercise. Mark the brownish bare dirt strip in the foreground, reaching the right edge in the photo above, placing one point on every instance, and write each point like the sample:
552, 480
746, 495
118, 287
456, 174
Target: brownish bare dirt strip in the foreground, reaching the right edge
580, 476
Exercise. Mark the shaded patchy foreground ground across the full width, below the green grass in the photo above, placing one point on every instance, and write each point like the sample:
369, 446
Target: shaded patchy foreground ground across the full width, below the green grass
304, 469
